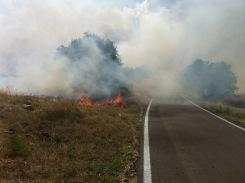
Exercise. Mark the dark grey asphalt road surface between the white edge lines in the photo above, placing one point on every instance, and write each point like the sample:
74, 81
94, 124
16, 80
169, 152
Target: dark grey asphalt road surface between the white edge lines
188, 145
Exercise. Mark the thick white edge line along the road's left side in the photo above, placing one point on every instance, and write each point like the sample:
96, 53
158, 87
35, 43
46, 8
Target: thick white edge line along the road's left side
147, 159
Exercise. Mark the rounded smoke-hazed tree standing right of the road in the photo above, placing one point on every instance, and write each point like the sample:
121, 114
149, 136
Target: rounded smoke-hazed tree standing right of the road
209, 81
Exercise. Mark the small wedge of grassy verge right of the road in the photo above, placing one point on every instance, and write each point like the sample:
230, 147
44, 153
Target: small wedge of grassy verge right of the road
232, 109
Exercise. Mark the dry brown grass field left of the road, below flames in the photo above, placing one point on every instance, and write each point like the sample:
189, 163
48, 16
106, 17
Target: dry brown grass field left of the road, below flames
46, 140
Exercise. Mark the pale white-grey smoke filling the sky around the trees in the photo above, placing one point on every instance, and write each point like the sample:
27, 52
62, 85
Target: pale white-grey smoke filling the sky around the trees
162, 36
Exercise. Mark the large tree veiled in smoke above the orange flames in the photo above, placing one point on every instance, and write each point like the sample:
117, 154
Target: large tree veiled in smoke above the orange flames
96, 67
